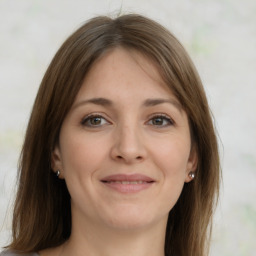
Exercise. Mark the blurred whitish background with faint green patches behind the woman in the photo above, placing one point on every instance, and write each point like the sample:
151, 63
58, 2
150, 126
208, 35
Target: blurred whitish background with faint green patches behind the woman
220, 36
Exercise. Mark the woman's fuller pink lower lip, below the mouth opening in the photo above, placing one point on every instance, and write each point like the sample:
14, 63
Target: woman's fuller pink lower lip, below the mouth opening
128, 188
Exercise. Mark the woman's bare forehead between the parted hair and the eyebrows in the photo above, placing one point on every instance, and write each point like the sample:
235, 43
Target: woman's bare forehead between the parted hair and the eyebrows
123, 70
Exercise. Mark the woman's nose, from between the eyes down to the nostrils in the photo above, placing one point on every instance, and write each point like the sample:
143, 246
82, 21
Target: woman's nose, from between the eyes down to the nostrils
128, 146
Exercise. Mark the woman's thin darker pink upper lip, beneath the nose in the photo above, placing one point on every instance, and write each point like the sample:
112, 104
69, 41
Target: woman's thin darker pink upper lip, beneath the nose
127, 177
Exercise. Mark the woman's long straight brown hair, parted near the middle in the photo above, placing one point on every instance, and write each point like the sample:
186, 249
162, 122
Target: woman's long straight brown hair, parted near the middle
42, 212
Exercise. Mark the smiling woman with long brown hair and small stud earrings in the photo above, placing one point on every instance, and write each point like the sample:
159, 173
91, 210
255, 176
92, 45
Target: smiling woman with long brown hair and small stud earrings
120, 155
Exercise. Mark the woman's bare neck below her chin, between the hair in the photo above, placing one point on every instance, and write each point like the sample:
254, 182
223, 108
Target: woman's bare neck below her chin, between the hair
91, 240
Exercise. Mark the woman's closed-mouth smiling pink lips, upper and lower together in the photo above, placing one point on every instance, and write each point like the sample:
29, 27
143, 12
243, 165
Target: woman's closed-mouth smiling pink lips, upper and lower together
128, 183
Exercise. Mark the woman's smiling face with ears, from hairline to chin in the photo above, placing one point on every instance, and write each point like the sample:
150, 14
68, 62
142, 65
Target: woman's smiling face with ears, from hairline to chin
124, 148
